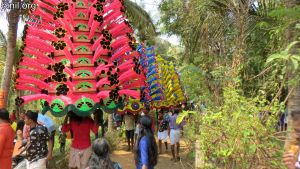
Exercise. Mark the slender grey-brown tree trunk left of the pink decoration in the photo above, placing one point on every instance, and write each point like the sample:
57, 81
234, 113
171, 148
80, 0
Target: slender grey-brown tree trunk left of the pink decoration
13, 19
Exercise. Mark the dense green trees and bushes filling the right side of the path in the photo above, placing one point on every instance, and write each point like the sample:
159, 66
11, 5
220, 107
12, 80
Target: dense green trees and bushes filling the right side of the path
236, 61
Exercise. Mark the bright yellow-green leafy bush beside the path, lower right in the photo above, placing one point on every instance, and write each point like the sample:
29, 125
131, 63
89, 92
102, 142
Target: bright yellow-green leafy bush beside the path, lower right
238, 134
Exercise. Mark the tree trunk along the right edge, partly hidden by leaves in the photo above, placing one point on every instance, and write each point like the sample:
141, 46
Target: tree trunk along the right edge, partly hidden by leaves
294, 98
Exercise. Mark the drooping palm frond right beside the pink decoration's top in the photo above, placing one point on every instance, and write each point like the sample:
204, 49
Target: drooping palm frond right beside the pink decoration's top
140, 19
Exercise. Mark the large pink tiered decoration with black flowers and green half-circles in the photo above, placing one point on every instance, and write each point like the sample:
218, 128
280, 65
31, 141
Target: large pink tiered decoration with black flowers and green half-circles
80, 55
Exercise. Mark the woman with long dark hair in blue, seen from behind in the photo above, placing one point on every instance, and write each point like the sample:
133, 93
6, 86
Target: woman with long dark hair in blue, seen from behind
146, 152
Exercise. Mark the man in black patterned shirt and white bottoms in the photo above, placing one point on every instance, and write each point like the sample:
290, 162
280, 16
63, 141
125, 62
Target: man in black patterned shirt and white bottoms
36, 147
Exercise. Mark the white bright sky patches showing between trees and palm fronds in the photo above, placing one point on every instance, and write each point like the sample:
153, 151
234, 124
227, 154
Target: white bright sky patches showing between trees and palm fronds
151, 6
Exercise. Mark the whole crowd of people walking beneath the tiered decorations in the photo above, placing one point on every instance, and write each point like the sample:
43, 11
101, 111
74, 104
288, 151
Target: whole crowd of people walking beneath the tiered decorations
31, 139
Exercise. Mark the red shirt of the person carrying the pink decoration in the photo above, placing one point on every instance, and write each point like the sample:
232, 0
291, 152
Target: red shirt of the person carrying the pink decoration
81, 132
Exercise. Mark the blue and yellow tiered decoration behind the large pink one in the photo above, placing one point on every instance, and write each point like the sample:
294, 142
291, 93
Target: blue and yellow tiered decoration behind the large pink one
162, 88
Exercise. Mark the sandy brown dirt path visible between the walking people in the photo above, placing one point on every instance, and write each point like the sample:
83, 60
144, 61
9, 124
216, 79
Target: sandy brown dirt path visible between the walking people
126, 158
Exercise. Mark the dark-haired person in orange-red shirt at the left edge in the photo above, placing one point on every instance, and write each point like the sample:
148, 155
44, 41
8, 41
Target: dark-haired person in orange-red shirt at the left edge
6, 140
